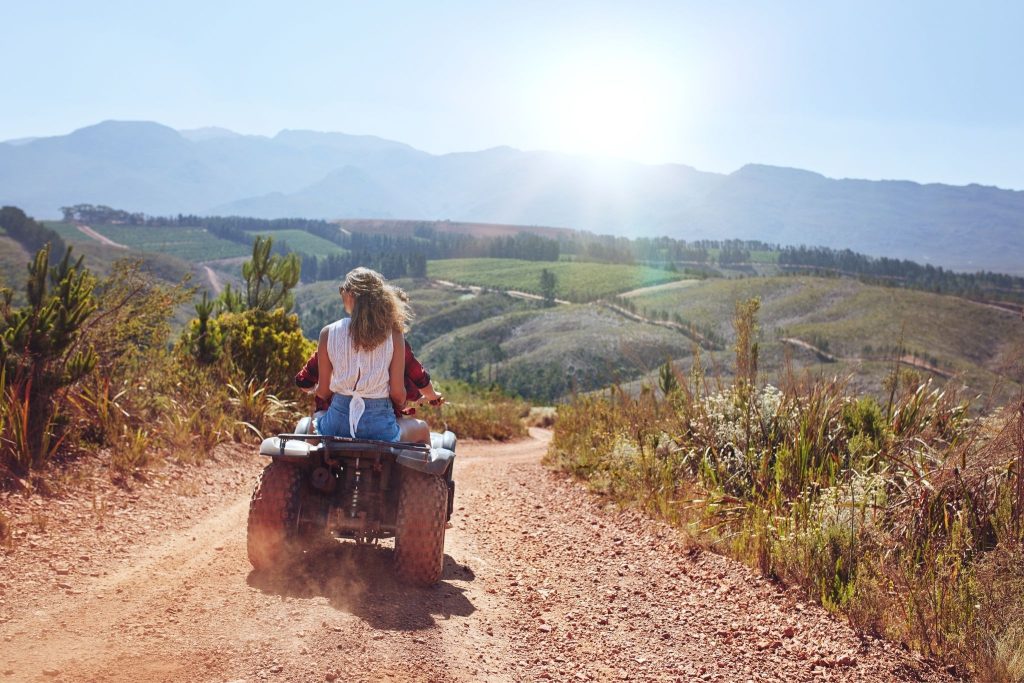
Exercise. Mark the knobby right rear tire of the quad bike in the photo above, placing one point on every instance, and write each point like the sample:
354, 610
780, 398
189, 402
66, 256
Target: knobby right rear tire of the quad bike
419, 541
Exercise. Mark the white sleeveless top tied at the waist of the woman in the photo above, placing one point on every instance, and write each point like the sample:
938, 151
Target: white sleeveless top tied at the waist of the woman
360, 374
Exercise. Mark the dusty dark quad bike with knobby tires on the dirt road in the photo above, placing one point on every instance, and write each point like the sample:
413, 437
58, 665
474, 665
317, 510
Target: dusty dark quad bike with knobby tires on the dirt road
332, 487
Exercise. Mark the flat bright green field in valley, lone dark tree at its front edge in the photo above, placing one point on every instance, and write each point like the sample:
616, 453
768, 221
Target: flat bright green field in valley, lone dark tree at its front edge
575, 281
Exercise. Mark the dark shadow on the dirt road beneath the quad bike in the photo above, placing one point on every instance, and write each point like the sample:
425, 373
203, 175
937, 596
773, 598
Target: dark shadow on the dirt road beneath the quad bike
362, 581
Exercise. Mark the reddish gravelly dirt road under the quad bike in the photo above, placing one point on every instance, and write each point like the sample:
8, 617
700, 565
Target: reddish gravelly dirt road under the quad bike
542, 582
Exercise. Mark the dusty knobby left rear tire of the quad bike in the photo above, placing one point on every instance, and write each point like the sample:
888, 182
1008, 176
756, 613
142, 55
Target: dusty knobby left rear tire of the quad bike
274, 516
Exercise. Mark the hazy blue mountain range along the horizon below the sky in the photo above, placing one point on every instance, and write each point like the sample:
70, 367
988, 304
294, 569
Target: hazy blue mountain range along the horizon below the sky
145, 166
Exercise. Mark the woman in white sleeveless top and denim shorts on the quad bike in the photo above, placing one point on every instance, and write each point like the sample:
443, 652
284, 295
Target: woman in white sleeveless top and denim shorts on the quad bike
362, 362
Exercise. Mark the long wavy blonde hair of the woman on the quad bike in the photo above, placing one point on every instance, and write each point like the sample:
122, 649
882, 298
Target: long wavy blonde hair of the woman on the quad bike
378, 311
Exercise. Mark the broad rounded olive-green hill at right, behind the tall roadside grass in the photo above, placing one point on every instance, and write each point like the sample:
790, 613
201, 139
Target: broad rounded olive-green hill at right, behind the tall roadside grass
862, 325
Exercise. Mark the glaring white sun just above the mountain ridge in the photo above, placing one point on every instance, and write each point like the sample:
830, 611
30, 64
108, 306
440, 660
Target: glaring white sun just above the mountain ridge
616, 108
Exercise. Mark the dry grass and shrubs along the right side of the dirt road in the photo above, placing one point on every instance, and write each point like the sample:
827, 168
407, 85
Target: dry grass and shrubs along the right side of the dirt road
906, 515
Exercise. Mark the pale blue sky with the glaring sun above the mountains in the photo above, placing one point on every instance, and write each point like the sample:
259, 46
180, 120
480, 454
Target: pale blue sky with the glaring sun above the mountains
928, 92
